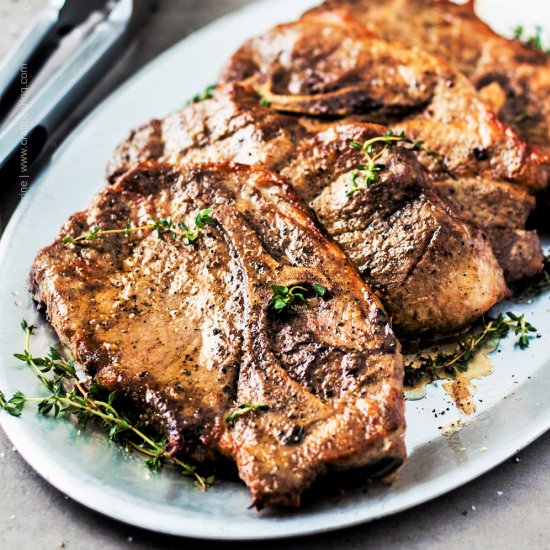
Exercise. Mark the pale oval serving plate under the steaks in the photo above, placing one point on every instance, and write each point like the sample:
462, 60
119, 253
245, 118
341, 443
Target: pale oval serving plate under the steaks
515, 408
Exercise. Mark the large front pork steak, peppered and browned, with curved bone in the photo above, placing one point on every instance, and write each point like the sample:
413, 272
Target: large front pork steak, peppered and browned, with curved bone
186, 333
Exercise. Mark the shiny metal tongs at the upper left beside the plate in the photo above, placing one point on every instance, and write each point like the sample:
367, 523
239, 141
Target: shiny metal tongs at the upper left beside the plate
41, 114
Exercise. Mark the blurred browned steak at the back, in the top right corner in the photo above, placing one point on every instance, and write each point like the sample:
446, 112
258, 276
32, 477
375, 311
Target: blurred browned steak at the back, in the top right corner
515, 77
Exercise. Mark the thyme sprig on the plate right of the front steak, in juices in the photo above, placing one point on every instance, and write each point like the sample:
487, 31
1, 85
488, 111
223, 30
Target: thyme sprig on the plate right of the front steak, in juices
448, 365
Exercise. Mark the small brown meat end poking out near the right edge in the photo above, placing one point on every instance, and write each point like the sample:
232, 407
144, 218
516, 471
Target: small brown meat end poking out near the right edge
519, 250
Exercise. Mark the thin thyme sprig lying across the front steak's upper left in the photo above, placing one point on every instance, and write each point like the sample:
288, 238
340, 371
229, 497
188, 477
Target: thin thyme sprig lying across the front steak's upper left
161, 227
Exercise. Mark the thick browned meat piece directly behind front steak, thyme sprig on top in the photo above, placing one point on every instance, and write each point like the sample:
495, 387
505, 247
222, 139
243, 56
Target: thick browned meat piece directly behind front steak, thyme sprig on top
433, 271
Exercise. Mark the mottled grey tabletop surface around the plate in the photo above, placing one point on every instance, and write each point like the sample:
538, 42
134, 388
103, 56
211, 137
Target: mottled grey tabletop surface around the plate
507, 508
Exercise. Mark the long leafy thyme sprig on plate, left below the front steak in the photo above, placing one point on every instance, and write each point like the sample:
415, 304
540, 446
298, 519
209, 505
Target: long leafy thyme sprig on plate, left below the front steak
69, 396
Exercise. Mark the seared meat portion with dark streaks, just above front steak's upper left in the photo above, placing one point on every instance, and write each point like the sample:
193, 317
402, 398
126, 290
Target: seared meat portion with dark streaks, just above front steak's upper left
235, 127
